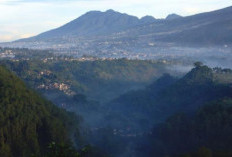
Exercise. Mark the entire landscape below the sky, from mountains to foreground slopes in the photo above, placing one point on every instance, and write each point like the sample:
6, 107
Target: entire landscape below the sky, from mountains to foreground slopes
108, 84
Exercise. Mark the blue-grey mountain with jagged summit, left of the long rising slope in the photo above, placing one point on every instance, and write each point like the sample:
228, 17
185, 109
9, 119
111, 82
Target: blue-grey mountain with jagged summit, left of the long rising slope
96, 23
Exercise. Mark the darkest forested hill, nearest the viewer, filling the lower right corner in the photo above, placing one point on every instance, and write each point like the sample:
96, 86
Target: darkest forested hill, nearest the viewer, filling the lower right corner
210, 127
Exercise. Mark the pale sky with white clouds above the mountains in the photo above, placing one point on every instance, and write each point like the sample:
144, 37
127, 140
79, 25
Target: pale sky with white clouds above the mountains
25, 18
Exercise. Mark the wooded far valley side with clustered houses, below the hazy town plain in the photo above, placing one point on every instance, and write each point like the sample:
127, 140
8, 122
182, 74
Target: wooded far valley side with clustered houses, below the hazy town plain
96, 79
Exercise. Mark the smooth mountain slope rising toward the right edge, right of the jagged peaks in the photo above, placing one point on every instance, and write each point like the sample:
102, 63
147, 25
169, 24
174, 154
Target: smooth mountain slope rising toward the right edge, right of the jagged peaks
212, 28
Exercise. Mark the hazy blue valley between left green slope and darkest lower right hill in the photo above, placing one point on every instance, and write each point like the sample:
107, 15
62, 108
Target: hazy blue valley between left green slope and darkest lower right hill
120, 101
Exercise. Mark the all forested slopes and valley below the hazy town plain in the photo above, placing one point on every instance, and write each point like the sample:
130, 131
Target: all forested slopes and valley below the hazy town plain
175, 107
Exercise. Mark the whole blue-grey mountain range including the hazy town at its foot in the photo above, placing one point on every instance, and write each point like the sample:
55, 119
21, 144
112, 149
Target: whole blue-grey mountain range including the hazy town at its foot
100, 32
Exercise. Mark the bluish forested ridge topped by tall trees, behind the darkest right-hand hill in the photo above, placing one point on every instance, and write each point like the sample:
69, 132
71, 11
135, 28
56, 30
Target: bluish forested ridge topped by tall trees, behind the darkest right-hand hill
168, 95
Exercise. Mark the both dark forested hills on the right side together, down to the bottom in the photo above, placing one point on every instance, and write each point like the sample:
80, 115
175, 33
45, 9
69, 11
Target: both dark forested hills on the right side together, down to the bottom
190, 116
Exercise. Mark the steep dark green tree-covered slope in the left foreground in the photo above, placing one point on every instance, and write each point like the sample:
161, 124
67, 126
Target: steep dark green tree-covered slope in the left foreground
28, 123
